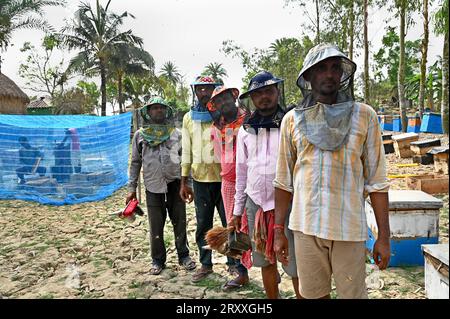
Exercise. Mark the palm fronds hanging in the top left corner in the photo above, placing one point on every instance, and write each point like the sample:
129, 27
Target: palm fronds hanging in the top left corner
21, 14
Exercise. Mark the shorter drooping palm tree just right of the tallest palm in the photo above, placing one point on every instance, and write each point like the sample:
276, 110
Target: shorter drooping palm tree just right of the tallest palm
128, 59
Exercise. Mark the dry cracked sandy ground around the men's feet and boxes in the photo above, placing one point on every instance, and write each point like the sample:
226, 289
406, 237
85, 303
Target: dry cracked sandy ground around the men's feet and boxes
80, 251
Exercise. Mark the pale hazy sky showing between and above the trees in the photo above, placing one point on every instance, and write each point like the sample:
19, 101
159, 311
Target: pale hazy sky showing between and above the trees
190, 32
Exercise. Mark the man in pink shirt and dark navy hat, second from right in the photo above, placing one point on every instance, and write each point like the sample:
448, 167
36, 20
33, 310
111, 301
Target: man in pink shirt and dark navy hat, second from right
256, 154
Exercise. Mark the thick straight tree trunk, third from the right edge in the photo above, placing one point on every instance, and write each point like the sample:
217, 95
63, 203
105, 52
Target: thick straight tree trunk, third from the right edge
401, 67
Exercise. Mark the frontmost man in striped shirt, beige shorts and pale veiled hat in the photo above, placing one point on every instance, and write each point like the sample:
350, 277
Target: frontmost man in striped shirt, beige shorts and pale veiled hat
330, 158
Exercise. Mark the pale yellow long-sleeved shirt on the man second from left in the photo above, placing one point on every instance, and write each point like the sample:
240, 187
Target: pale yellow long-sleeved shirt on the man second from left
197, 157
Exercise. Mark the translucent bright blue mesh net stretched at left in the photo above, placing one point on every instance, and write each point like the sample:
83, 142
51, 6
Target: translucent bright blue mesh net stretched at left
61, 160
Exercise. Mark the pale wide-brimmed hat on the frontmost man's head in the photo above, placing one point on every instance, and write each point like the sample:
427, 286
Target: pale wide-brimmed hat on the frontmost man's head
320, 53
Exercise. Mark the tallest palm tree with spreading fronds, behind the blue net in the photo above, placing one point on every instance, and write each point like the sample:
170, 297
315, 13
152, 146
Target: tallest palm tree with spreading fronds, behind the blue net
96, 33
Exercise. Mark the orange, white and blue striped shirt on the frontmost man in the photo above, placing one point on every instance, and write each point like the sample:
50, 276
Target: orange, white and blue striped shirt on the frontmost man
330, 187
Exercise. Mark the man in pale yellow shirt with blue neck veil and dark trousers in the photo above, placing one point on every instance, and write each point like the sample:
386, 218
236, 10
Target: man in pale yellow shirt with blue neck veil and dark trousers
198, 160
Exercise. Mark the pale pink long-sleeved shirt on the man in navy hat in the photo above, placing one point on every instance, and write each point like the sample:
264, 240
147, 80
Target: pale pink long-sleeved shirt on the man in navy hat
256, 160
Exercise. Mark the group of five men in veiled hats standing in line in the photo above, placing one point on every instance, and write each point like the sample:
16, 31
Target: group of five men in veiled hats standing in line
294, 180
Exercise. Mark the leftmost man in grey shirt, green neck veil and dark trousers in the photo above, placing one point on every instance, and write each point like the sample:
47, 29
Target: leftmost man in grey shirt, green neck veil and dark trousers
157, 148
